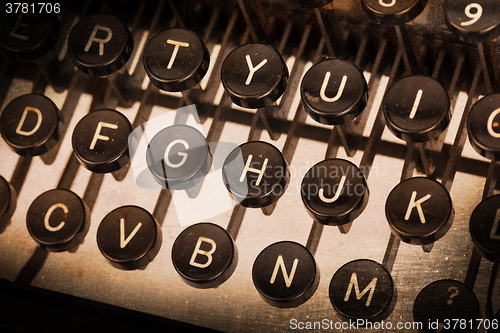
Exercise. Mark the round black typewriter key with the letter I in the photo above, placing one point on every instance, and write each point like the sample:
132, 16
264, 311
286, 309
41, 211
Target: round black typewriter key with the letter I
417, 108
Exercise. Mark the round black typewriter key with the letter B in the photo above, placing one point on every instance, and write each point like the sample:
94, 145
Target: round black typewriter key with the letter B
204, 255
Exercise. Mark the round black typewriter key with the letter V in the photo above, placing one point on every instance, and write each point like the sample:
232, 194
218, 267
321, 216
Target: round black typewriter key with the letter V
129, 237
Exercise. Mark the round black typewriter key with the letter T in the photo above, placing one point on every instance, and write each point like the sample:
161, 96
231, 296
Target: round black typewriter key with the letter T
176, 59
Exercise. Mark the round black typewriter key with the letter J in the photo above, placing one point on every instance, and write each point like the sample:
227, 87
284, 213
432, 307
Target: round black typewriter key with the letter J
334, 192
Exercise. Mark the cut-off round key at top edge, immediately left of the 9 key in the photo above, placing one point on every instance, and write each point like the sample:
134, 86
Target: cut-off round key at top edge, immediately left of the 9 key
393, 12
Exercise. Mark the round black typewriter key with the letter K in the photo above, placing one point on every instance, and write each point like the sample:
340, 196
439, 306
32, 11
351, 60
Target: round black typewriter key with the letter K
419, 211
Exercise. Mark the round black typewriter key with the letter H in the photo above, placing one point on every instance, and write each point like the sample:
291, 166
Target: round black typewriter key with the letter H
256, 174
